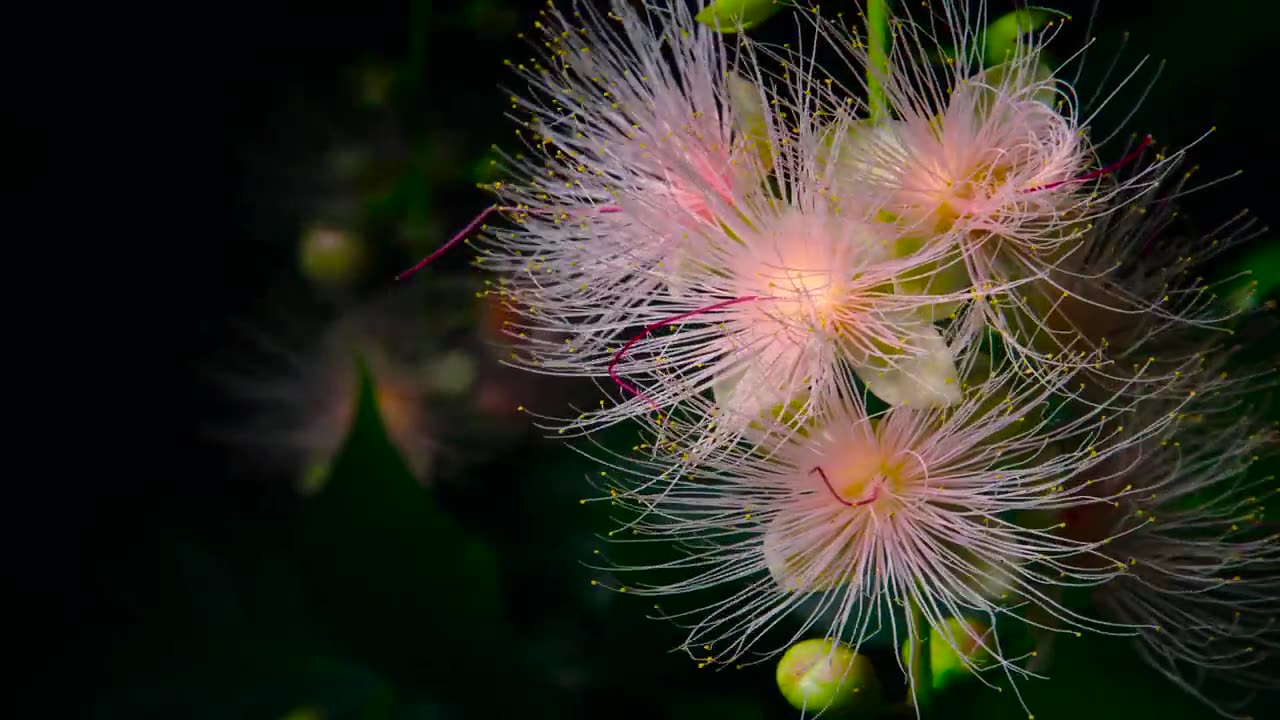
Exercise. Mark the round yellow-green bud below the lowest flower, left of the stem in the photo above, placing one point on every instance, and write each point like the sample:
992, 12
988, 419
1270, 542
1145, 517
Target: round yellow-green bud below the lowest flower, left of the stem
819, 676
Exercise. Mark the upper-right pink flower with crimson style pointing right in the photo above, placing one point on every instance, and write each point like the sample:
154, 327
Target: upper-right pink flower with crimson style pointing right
994, 168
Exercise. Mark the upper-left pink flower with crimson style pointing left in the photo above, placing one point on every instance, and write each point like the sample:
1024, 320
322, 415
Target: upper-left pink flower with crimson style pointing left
639, 138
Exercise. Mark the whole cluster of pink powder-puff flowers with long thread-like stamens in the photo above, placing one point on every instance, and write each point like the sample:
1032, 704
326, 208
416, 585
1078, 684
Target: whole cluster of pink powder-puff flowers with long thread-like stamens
898, 332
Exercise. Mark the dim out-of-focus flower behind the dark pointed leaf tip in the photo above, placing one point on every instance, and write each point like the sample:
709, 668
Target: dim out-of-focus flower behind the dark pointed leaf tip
303, 398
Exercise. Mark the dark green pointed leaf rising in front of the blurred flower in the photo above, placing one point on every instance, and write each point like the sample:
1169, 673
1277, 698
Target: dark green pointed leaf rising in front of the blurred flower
404, 589
